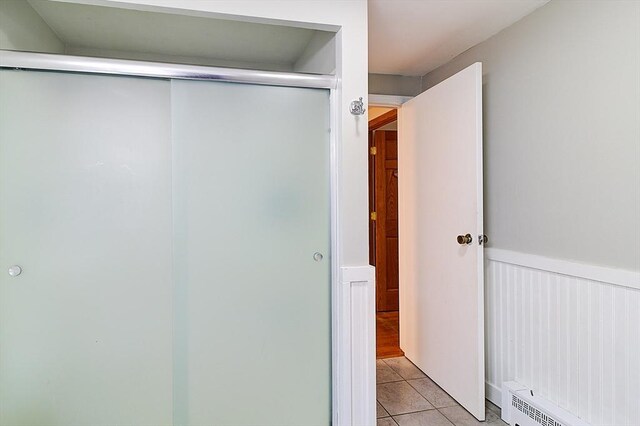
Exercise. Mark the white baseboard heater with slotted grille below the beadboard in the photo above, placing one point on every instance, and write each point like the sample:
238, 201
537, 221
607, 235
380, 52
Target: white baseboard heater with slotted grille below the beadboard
520, 407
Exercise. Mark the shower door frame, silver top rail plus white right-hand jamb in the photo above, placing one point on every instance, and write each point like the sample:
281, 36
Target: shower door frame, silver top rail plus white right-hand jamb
341, 384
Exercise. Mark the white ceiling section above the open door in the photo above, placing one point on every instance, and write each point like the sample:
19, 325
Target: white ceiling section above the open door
413, 37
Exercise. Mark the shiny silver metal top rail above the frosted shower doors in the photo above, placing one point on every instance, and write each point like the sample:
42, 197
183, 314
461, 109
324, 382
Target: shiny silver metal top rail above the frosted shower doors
49, 62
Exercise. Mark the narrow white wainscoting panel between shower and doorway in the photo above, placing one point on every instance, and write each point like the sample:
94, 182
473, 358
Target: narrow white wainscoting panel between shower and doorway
357, 331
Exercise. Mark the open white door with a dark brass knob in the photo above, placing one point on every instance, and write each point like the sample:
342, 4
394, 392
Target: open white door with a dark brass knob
440, 202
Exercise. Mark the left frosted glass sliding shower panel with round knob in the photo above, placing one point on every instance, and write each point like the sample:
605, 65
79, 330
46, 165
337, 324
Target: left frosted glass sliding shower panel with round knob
85, 201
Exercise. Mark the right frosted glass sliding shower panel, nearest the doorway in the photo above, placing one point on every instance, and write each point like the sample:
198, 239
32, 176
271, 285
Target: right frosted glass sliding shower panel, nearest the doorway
251, 209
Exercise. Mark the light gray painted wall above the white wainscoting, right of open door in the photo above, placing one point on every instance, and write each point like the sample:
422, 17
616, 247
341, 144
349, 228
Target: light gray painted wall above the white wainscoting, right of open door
562, 132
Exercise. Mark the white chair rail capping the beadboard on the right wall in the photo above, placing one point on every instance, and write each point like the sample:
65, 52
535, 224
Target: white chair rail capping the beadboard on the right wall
620, 277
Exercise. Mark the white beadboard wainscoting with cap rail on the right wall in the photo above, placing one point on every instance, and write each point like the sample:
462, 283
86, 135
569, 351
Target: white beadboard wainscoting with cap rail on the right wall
568, 331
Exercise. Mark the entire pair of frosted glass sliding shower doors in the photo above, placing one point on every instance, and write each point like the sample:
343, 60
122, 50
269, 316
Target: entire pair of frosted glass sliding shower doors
164, 252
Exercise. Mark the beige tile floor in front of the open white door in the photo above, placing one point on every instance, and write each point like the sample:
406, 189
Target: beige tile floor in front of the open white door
407, 397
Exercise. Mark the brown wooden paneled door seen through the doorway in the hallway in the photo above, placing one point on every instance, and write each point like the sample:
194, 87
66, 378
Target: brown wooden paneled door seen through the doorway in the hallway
384, 154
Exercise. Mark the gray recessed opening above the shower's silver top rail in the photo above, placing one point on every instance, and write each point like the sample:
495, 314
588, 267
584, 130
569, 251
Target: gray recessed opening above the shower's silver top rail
165, 35
